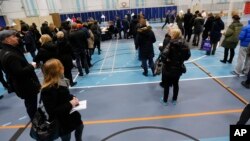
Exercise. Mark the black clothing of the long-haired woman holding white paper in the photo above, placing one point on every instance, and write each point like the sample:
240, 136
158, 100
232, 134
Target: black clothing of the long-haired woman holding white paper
56, 100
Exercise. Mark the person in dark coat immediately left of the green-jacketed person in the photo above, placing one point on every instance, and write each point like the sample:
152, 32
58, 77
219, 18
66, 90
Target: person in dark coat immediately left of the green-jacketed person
215, 34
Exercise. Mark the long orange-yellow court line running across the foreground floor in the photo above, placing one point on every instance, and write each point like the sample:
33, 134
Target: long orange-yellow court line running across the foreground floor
144, 118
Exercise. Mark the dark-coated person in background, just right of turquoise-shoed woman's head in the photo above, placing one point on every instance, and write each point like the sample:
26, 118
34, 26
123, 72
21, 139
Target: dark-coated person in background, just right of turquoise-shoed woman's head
188, 25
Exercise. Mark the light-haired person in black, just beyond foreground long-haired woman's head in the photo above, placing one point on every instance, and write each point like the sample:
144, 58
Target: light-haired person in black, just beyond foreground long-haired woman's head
65, 56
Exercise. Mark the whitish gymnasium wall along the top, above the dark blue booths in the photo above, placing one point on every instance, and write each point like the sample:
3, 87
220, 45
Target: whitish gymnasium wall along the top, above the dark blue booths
14, 9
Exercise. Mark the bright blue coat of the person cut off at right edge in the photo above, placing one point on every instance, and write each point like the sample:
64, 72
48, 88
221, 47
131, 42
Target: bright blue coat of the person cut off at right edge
245, 35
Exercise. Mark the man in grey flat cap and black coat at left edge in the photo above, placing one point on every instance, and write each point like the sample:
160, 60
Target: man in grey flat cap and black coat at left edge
21, 73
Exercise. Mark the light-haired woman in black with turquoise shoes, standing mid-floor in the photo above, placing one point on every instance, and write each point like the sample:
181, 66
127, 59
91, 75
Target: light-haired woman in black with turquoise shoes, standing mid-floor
172, 65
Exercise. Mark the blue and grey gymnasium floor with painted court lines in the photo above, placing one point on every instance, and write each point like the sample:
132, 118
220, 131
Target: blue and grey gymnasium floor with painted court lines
120, 98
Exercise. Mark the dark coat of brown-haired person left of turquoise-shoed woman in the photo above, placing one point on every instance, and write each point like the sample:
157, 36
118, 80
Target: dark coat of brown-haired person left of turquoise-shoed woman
145, 40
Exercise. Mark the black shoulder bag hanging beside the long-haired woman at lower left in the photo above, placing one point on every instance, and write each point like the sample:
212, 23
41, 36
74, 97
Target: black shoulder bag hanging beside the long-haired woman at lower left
41, 128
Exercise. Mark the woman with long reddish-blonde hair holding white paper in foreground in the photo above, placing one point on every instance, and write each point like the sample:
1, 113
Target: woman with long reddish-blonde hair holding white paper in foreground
58, 101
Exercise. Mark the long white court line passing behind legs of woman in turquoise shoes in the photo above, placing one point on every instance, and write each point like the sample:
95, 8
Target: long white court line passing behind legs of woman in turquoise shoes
189, 79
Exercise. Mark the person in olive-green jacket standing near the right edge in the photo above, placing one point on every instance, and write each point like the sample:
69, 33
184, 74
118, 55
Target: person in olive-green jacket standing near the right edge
231, 39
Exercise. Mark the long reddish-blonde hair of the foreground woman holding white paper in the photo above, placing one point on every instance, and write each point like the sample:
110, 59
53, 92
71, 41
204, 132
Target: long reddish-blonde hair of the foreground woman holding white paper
52, 71
